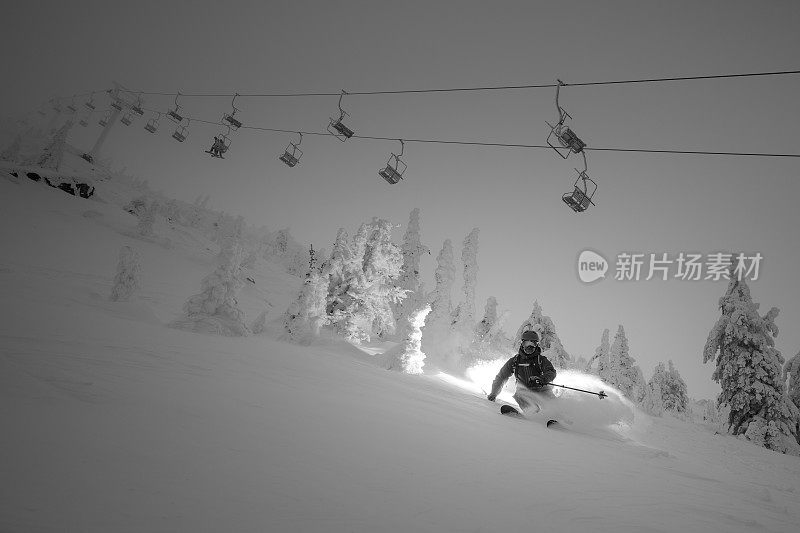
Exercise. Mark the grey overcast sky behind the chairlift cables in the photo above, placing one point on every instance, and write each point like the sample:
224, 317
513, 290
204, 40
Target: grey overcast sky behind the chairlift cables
529, 239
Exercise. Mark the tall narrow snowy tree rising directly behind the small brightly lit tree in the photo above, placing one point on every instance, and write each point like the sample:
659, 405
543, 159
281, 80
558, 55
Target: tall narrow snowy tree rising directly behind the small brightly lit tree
409, 280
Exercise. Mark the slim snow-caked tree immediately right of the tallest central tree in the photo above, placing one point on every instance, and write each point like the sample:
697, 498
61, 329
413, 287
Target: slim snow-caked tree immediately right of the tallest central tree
437, 324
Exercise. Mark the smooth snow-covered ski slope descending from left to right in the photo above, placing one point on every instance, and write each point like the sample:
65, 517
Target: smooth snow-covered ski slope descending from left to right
112, 421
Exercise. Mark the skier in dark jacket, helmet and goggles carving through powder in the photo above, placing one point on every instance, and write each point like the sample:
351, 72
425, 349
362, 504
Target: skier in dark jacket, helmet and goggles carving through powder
532, 370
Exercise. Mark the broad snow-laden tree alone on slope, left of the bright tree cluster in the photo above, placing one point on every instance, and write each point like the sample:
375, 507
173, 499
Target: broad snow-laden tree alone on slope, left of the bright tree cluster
216, 309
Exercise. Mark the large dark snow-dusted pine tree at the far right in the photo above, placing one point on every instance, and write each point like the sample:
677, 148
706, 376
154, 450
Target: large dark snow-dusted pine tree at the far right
749, 369
